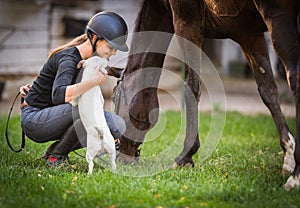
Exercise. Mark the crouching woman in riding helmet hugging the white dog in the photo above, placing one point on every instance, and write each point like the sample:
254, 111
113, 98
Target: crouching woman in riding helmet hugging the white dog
47, 114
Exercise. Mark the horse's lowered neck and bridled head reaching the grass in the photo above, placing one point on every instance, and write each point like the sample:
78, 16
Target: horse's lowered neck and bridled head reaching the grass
135, 96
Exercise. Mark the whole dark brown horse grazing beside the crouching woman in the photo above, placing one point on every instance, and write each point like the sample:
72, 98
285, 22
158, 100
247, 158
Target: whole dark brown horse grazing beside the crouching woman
243, 21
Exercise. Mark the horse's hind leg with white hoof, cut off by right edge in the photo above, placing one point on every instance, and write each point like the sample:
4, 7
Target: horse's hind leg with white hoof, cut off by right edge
281, 20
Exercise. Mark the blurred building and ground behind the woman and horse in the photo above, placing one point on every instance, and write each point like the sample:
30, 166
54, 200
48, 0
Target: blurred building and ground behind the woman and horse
29, 29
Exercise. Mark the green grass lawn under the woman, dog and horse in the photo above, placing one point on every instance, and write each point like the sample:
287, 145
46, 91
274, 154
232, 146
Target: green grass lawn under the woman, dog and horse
243, 171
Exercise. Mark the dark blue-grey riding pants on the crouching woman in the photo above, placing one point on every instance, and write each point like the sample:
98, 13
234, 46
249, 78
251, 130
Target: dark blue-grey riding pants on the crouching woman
61, 123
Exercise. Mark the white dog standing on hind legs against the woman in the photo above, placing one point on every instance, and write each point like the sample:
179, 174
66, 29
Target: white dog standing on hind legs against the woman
91, 111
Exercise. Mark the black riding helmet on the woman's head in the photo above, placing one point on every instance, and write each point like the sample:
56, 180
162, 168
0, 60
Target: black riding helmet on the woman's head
110, 27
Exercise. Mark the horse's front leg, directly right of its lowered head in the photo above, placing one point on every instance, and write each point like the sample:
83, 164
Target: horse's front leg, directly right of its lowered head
188, 27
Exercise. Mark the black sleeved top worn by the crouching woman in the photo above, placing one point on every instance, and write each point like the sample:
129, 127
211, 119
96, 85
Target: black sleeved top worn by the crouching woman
58, 72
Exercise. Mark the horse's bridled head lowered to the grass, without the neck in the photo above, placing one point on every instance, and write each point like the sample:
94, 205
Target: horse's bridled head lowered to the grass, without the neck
137, 104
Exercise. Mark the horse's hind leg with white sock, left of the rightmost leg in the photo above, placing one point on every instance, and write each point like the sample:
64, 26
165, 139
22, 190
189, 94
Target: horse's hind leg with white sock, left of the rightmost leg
255, 50
